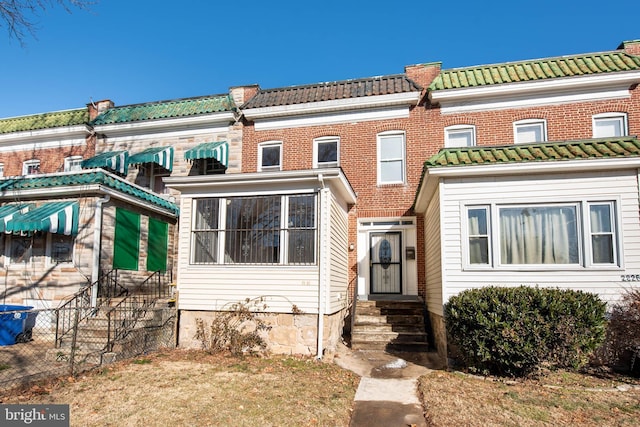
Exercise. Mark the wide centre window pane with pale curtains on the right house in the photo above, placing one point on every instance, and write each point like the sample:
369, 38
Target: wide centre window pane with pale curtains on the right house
539, 235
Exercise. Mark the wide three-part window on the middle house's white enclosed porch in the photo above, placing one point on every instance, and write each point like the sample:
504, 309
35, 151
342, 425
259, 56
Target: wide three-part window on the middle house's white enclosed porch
274, 229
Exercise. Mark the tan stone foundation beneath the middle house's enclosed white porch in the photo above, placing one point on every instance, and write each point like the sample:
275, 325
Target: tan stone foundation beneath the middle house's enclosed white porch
288, 333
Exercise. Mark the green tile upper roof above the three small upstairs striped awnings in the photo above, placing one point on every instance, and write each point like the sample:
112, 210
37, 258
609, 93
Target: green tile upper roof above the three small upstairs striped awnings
166, 109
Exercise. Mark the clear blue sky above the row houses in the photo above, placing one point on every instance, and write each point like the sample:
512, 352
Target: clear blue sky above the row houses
134, 51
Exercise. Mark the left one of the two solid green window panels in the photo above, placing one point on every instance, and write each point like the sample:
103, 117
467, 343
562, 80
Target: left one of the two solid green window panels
126, 245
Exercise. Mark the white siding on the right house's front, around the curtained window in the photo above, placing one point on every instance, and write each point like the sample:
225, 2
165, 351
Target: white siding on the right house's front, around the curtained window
618, 186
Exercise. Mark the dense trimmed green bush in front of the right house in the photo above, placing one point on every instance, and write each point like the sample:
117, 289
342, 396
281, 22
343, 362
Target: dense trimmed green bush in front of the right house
515, 331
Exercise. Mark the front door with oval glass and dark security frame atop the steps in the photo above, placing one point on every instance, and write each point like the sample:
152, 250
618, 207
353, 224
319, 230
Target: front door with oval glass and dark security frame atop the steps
386, 263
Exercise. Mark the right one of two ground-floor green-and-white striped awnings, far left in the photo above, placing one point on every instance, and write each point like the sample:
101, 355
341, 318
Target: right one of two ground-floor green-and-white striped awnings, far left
53, 217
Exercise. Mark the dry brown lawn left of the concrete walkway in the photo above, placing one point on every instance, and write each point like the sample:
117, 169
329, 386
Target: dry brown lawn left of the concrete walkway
183, 387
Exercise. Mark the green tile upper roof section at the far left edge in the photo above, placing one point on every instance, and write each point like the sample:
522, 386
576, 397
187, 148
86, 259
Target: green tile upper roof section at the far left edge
44, 121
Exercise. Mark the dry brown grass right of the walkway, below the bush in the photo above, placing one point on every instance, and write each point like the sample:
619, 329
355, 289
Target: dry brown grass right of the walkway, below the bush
555, 399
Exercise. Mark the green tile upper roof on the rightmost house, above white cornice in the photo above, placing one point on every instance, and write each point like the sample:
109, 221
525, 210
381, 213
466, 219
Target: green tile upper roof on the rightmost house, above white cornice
537, 69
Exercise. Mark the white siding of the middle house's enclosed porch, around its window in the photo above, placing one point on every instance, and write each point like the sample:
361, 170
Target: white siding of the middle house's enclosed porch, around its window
217, 286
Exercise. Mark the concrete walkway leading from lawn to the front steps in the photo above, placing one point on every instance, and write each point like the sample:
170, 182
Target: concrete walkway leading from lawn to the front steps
387, 395
